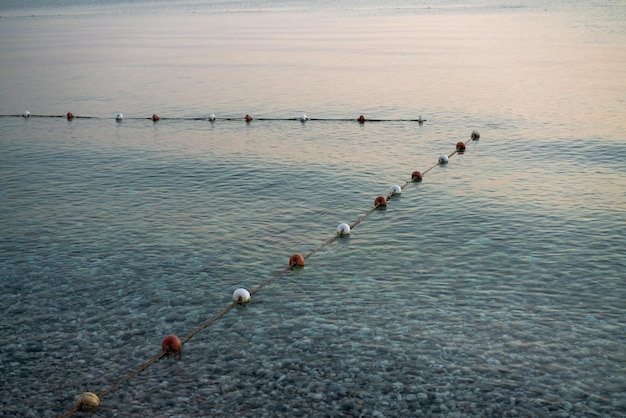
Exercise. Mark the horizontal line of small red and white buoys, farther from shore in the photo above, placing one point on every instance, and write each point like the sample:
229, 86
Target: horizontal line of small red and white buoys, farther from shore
212, 118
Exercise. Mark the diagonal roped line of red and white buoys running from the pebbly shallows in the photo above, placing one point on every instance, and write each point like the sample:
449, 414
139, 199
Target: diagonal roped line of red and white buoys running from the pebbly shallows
173, 345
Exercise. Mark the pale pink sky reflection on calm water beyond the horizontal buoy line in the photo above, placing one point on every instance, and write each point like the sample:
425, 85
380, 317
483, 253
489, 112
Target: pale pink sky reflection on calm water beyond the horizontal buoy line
537, 68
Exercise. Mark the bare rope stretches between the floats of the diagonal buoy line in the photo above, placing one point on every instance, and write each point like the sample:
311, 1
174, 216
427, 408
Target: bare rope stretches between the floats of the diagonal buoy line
227, 309
